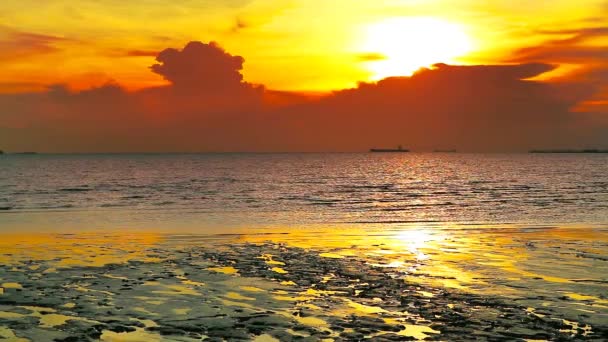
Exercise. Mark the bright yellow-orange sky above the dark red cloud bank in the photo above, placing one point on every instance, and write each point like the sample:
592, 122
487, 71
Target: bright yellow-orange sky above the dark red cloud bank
311, 45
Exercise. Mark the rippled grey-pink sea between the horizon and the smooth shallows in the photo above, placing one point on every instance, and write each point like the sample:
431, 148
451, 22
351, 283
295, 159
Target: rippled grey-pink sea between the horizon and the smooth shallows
312, 188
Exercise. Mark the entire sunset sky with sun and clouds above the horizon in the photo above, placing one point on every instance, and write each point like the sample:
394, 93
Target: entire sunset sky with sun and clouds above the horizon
302, 75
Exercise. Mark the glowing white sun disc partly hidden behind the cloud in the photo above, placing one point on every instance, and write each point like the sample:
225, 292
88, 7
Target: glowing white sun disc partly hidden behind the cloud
400, 46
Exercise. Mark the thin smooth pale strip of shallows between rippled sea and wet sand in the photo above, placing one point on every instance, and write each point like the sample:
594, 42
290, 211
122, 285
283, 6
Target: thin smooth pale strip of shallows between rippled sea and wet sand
180, 221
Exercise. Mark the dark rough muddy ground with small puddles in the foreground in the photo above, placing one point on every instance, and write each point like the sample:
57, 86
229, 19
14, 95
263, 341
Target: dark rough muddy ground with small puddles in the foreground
264, 291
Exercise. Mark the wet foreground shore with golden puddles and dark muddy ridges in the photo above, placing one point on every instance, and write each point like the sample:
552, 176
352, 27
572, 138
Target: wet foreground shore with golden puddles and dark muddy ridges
338, 283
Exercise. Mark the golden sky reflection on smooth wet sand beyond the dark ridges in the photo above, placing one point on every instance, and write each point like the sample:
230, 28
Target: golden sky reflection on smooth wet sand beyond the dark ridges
528, 263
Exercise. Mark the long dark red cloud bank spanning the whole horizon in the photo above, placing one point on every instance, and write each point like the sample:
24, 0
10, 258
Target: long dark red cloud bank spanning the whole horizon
208, 106
